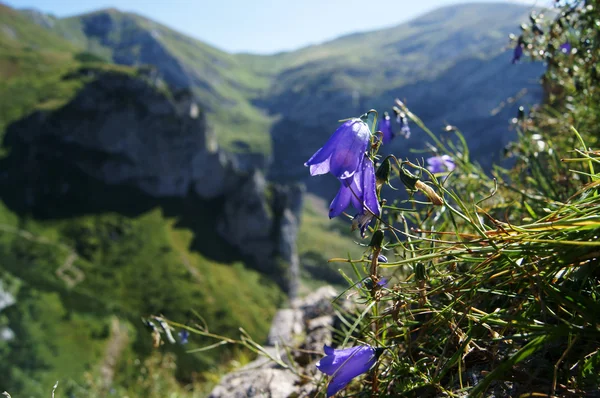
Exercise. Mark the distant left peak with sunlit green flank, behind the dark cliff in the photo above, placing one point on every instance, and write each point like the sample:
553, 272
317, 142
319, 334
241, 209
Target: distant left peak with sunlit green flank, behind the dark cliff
222, 84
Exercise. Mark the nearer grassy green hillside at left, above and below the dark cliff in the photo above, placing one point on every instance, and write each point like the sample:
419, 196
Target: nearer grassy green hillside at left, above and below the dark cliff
83, 270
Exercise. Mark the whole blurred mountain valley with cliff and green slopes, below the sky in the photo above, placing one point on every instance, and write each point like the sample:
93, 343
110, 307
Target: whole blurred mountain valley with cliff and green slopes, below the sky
168, 172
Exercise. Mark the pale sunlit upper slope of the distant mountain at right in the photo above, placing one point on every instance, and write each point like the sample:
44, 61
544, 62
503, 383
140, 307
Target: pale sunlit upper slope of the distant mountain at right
418, 49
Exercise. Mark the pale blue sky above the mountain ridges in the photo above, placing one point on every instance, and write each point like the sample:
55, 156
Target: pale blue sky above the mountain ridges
259, 26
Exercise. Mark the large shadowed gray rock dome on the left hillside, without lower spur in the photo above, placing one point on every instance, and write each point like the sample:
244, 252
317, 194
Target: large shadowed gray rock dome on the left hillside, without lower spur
140, 135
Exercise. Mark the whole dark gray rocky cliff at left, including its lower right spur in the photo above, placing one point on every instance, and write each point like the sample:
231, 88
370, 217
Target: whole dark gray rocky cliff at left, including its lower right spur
126, 129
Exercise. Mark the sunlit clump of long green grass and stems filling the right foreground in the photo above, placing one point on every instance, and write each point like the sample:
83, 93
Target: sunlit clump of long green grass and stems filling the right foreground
492, 282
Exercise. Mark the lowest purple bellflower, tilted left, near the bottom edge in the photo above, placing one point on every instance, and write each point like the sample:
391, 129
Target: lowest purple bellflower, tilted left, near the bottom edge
346, 364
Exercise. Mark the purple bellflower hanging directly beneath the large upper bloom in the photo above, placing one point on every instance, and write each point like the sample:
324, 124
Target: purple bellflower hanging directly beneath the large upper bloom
360, 190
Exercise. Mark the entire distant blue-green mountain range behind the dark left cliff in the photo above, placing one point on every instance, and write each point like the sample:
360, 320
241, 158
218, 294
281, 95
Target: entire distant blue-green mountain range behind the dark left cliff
253, 100
